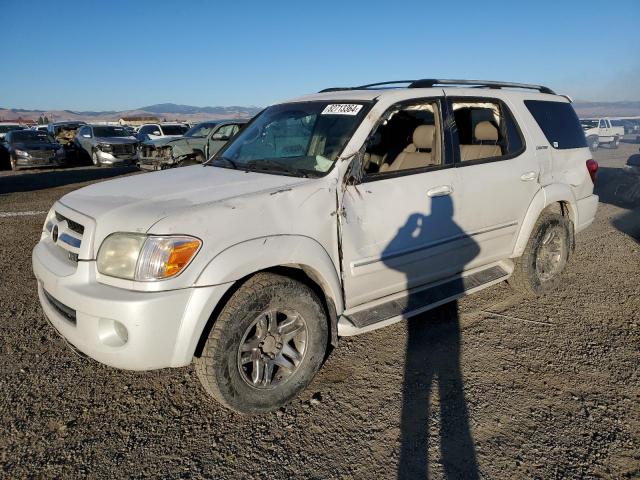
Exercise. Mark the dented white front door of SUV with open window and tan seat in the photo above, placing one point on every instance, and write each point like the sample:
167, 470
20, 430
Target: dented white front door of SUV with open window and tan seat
399, 225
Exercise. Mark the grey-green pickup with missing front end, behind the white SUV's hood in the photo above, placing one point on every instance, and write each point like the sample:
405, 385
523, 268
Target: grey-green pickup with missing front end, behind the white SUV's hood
198, 144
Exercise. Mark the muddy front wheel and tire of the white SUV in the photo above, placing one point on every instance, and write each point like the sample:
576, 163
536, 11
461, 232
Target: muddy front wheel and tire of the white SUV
266, 345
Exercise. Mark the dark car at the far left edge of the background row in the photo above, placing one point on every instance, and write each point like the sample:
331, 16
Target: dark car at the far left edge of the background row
30, 148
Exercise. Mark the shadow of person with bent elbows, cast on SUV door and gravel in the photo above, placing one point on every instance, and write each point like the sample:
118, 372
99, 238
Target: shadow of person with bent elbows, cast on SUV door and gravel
433, 357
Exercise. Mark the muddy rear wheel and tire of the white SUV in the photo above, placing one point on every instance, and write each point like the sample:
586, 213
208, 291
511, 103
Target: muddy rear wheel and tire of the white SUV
539, 268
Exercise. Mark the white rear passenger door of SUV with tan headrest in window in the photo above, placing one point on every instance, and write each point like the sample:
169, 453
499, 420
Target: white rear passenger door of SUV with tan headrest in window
498, 174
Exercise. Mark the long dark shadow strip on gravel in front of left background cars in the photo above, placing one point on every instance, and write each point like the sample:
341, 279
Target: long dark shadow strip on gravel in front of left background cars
29, 181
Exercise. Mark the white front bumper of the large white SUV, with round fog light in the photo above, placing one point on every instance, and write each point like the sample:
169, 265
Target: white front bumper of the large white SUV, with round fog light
162, 328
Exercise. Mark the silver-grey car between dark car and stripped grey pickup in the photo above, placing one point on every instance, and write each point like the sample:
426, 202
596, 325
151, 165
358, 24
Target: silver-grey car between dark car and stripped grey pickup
107, 145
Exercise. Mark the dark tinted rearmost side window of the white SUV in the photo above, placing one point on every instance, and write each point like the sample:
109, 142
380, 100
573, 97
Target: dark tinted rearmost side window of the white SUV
558, 122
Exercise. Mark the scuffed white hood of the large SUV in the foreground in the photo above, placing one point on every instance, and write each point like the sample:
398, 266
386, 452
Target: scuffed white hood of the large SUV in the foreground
137, 202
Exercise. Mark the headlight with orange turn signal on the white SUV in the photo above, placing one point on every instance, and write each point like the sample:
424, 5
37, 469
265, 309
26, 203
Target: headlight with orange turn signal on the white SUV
145, 257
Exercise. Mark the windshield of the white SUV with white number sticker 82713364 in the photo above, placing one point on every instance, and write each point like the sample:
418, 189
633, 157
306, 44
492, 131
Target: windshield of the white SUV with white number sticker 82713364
296, 138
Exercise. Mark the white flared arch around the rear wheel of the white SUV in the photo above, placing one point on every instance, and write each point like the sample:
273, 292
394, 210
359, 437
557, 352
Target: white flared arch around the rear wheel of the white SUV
555, 197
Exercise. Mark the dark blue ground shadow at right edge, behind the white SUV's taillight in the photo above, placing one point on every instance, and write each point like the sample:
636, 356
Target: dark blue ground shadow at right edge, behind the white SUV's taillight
621, 187
